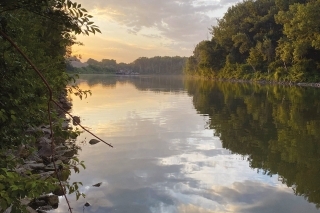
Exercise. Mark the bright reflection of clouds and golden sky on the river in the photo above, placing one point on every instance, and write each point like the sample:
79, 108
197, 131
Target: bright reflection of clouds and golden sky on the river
166, 161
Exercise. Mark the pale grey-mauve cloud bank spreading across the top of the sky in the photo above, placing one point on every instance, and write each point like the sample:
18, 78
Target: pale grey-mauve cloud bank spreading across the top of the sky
186, 20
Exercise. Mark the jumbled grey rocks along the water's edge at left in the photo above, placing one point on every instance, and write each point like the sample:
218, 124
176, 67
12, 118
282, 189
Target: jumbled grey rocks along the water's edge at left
41, 161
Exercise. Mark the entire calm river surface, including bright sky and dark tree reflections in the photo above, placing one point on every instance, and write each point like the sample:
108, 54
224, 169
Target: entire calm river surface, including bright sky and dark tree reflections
197, 147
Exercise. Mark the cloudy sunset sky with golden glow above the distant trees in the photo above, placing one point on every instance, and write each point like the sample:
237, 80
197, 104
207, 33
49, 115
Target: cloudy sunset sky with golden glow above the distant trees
148, 28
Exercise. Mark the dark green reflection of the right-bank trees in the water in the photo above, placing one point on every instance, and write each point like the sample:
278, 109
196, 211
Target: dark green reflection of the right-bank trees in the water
276, 127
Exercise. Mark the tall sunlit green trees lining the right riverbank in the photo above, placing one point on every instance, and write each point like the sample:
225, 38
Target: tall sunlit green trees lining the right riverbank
275, 40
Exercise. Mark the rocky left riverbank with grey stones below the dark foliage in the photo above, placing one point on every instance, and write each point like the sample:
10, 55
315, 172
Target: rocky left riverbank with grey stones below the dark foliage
49, 159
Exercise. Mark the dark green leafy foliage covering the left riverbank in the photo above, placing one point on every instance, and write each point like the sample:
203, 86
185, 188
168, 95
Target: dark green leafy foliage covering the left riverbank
44, 31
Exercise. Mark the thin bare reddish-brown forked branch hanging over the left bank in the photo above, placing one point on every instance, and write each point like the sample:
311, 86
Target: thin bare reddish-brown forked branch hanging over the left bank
49, 114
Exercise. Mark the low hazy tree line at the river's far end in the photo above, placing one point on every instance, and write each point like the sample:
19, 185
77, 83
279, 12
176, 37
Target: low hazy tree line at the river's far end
143, 65
